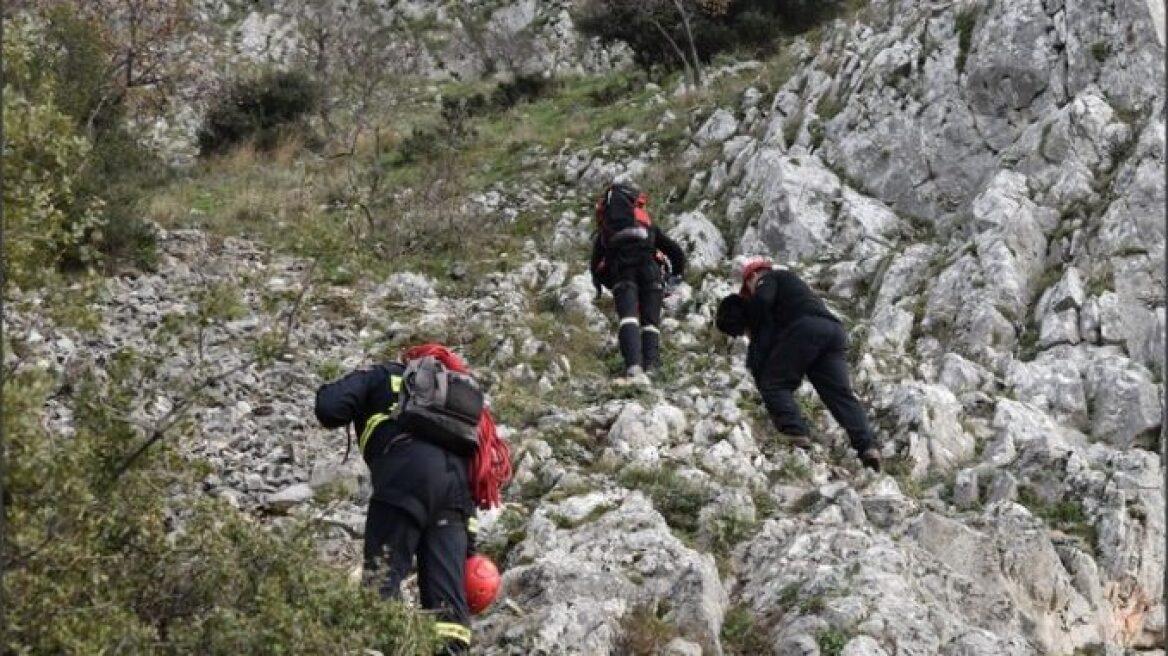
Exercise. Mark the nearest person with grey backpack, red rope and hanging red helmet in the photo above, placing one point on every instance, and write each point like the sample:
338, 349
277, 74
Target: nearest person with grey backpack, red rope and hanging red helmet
434, 457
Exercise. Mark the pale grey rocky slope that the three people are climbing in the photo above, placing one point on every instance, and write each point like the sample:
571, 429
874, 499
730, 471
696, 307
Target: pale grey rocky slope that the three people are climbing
978, 187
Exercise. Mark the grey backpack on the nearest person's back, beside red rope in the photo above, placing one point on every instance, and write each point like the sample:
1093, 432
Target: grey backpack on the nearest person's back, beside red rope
441, 407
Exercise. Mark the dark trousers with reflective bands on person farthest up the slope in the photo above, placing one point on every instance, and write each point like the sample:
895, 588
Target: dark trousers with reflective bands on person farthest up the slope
638, 295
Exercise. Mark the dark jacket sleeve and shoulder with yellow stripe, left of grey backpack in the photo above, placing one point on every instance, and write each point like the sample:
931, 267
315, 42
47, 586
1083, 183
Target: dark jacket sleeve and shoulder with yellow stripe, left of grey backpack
367, 400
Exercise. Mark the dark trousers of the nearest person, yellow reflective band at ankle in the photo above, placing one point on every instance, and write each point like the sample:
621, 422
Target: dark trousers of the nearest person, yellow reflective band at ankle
420, 508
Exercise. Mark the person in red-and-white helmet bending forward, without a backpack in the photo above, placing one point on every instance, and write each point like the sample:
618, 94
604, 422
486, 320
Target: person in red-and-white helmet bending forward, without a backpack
792, 334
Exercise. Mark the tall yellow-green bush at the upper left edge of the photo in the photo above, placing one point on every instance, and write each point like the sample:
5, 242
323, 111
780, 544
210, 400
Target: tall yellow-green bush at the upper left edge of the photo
81, 171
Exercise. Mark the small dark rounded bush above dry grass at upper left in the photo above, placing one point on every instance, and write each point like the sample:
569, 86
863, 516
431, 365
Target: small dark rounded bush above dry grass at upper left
262, 110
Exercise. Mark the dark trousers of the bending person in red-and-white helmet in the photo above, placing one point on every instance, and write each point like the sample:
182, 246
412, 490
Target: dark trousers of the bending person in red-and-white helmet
817, 348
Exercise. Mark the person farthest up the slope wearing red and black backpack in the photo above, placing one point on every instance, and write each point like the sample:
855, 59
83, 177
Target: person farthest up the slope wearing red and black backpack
636, 260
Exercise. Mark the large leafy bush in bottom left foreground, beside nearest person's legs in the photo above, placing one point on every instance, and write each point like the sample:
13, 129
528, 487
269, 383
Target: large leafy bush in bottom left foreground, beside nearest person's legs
98, 563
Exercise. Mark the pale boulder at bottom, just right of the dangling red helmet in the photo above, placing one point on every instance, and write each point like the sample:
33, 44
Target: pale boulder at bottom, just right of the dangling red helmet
582, 580
